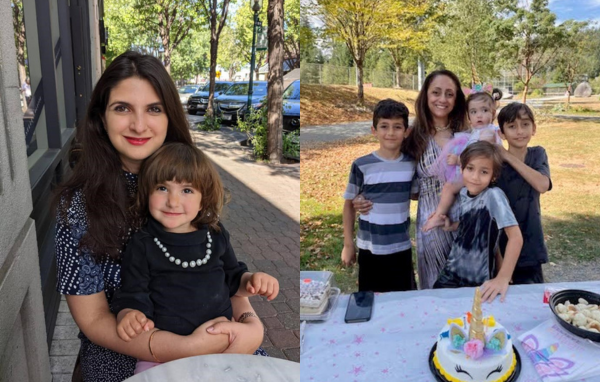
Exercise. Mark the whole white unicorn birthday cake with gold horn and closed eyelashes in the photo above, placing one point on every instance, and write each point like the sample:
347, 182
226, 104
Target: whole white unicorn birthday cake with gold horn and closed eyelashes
474, 348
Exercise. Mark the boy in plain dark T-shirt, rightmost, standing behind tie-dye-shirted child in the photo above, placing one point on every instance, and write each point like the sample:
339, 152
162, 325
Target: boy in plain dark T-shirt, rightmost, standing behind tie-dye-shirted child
525, 175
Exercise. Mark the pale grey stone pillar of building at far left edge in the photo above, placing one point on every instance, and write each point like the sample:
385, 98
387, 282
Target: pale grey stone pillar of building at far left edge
23, 348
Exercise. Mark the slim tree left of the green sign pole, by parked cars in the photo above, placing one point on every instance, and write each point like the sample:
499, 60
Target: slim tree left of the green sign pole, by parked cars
216, 12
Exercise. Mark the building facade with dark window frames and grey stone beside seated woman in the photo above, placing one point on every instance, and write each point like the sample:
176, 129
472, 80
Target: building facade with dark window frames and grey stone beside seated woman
34, 149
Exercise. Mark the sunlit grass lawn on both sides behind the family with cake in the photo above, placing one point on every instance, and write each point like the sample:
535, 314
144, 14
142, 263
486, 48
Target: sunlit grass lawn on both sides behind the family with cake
571, 211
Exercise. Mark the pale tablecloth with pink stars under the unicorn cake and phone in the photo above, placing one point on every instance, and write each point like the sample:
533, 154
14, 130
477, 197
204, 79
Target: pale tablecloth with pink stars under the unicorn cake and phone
395, 344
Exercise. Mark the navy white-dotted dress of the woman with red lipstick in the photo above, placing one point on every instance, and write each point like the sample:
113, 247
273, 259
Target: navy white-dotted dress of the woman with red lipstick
80, 274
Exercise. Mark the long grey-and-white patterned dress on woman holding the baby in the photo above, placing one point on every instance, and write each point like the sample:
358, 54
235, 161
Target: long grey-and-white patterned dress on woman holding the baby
433, 247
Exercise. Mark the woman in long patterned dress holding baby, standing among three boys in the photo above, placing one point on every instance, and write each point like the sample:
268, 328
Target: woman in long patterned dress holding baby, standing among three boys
440, 112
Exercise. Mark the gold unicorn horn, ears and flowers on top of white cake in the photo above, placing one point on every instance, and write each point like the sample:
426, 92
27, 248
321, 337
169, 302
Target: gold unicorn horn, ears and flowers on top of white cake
476, 342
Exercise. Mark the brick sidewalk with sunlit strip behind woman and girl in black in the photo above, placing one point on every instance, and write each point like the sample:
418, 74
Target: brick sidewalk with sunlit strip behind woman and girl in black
263, 218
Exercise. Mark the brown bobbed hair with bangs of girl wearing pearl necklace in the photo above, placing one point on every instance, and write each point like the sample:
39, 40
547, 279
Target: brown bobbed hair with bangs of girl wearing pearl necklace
181, 162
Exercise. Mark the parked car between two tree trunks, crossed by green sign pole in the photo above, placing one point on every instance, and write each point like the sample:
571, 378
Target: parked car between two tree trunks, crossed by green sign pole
232, 104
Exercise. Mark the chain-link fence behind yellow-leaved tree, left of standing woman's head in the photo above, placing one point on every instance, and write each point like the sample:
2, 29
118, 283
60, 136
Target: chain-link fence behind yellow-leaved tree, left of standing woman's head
324, 74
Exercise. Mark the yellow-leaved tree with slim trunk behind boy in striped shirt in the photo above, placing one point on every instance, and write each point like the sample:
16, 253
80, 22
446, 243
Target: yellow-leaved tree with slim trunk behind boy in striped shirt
360, 24
